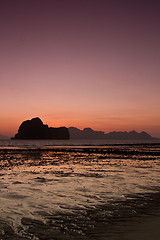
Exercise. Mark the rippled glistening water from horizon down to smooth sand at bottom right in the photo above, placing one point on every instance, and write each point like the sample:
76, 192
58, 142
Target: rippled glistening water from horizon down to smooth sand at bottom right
76, 189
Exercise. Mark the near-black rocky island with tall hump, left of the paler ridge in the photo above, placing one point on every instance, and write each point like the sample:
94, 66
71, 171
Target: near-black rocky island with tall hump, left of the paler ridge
35, 129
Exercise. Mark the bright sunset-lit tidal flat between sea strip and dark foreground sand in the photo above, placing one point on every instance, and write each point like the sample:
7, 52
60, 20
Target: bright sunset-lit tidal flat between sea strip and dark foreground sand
94, 184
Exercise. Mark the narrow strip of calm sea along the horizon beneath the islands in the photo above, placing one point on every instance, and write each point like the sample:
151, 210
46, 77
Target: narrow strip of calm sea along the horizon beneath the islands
55, 144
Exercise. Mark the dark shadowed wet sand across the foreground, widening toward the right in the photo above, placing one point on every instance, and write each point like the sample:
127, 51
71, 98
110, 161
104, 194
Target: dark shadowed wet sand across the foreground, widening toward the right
141, 222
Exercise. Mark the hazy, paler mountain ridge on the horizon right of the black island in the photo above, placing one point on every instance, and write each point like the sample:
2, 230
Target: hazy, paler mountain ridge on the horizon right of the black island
88, 133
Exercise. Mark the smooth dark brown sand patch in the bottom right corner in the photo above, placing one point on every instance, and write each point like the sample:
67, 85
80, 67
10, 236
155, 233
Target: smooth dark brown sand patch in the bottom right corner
142, 228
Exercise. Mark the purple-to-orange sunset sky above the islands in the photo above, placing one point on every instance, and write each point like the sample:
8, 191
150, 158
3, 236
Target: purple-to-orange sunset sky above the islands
87, 63
